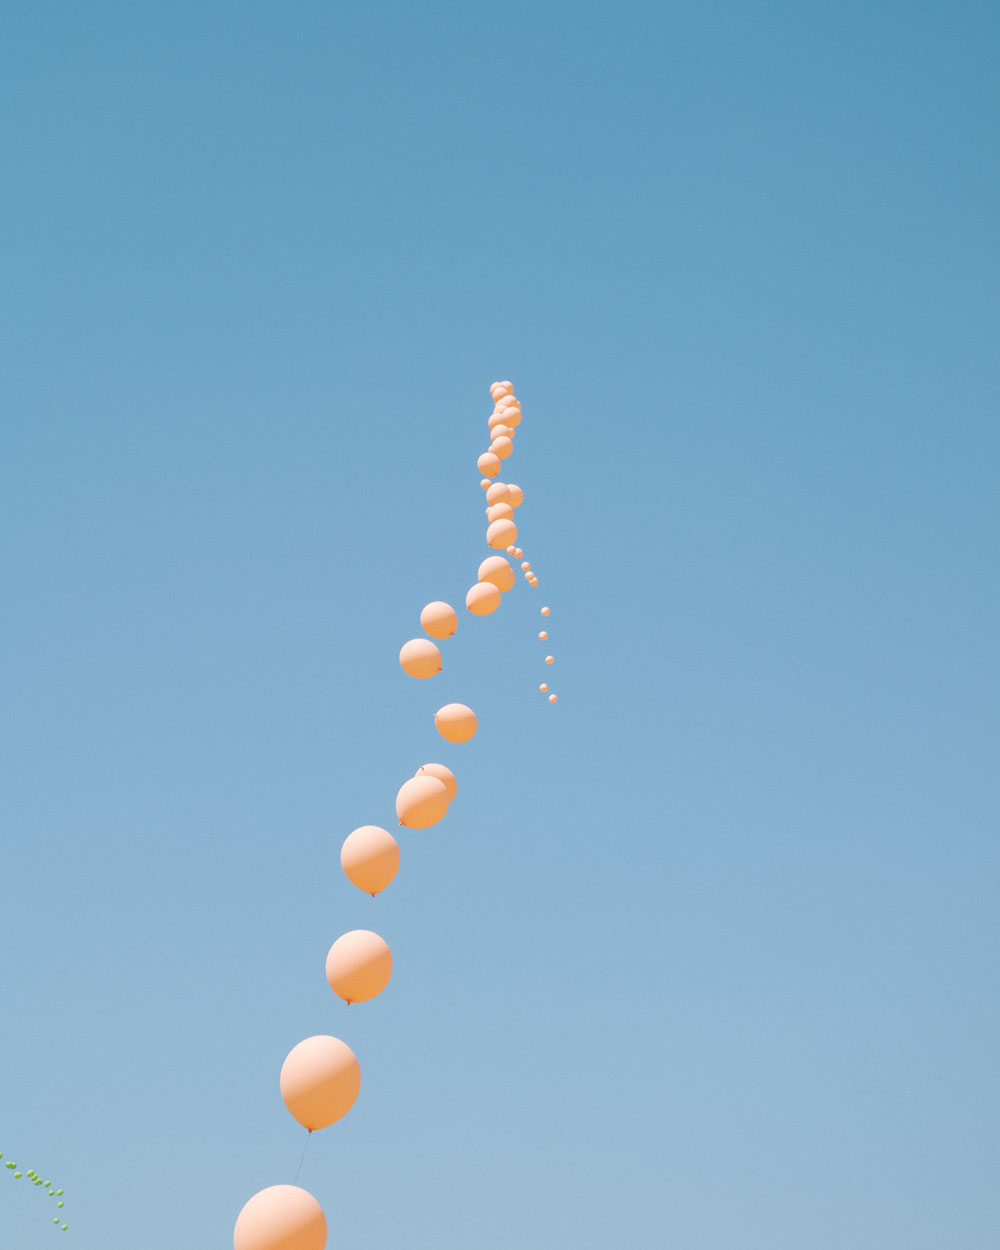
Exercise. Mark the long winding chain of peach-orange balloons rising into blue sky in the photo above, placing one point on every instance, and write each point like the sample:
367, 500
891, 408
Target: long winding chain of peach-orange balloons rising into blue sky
322, 1078
